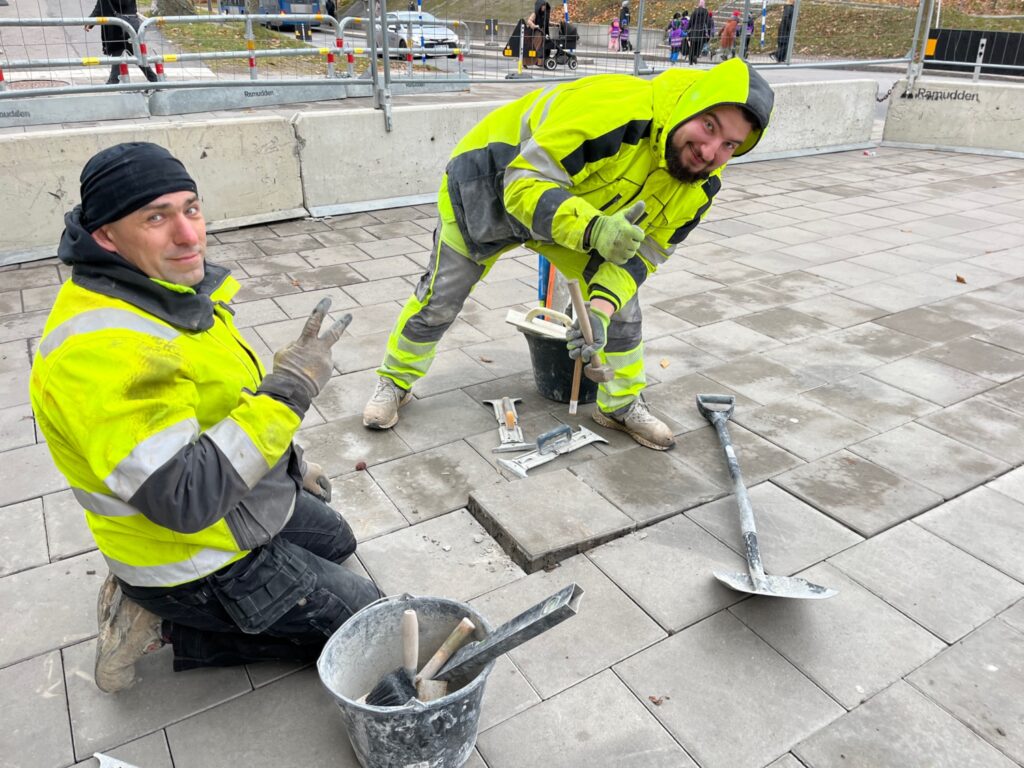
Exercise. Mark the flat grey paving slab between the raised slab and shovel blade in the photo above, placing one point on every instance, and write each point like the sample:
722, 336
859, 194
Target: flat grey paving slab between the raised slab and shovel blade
668, 571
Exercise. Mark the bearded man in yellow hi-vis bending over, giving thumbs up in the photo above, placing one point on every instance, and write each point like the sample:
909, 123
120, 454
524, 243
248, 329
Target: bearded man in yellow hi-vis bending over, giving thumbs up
606, 177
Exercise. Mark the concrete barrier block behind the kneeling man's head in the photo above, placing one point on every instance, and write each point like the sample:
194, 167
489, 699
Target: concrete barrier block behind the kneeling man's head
247, 169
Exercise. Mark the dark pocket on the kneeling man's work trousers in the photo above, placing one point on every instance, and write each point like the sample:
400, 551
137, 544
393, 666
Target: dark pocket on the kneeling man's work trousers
263, 588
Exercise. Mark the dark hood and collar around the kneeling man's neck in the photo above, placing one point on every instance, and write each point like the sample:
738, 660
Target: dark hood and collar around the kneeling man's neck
110, 274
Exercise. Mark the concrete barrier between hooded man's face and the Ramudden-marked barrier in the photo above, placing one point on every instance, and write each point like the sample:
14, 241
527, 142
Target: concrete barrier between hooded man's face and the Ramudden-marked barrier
819, 117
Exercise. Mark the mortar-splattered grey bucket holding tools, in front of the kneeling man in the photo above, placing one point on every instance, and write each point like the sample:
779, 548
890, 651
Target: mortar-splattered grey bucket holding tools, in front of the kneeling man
437, 735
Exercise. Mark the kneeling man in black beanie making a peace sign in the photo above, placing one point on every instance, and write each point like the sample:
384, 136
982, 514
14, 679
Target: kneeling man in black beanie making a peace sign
177, 443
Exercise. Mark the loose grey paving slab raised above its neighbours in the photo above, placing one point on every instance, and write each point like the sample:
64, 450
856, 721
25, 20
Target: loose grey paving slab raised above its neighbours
545, 520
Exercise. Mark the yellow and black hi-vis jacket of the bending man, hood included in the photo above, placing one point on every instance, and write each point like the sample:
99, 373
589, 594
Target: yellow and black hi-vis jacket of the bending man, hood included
540, 169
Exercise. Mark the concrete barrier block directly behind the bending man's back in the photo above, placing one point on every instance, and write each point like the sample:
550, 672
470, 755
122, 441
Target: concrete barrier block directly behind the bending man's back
349, 158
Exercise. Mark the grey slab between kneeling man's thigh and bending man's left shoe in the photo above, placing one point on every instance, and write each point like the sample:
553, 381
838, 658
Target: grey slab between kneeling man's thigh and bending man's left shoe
340, 445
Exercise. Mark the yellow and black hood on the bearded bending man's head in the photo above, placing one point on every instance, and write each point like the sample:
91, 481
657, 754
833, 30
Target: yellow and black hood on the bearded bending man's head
680, 96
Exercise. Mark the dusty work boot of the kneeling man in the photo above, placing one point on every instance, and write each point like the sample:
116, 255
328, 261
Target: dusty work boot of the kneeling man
127, 632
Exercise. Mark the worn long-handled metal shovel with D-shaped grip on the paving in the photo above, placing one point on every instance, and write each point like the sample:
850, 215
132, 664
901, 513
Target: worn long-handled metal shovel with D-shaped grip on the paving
756, 582
